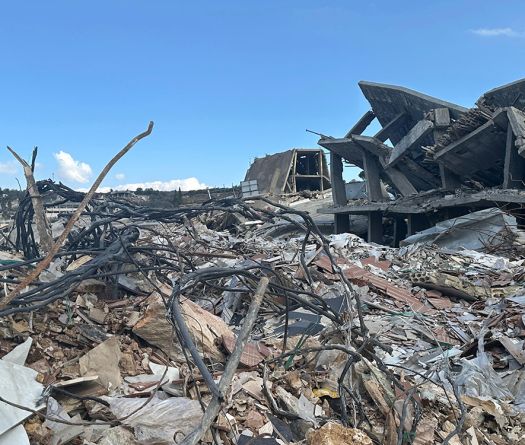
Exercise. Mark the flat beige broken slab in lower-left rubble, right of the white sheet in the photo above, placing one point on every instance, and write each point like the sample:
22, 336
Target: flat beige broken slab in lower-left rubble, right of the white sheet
103, 361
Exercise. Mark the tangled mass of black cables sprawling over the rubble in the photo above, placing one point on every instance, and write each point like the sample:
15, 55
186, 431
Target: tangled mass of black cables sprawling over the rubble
111, 234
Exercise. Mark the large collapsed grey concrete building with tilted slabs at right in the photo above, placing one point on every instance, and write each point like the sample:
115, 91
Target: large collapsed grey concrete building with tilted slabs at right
443, 160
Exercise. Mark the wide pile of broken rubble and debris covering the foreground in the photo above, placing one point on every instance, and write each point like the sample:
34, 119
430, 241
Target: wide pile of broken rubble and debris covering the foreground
193, 325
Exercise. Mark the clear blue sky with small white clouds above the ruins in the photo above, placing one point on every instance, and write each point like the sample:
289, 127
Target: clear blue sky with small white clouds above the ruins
226, 81
